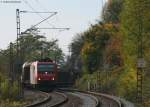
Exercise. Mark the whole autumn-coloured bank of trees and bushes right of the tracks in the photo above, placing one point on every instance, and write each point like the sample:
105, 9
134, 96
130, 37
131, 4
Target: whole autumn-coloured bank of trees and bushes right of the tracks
114, 42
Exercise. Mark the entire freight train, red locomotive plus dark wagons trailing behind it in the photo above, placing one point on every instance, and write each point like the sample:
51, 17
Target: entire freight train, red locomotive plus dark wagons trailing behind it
45, 73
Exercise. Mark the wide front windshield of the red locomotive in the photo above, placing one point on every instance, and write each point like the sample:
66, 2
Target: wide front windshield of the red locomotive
45, 67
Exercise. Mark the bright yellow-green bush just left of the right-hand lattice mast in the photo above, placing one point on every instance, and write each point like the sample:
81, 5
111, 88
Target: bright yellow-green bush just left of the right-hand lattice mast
126, 85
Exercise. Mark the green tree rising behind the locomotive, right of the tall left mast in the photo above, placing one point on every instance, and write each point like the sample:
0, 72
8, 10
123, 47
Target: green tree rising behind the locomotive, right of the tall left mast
35, 46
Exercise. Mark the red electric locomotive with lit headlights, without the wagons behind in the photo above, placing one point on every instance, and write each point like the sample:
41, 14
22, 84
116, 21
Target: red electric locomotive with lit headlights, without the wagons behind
39, 73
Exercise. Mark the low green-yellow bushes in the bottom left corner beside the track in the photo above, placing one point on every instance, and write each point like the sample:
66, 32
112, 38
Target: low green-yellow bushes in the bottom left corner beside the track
9, 94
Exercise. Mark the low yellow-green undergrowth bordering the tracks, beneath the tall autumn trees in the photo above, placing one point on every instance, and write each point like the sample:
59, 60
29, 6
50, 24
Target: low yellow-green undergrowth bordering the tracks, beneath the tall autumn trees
116, 82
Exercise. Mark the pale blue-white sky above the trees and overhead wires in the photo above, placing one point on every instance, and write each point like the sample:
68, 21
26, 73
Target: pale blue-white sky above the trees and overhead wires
77, 15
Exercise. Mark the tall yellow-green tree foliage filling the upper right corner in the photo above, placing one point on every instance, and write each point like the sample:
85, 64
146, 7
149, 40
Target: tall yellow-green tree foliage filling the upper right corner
136, 27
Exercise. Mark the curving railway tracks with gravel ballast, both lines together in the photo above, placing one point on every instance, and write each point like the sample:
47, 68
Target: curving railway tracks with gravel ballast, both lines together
75, 98
